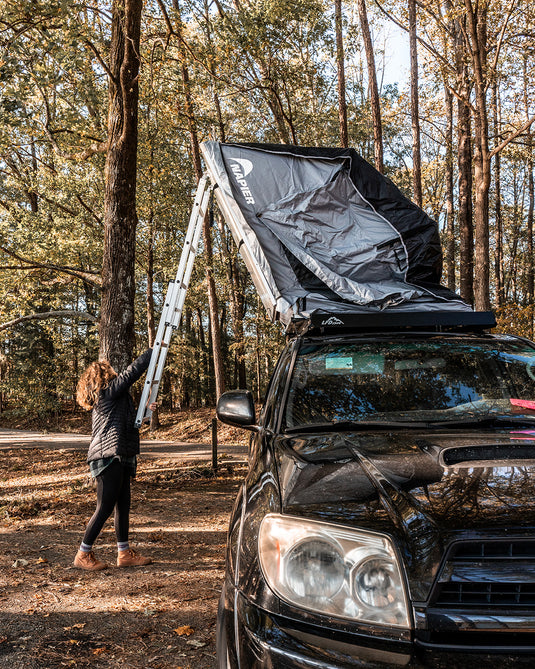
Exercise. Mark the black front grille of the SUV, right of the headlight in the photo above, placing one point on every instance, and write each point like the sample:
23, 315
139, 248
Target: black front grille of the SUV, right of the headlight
488, 574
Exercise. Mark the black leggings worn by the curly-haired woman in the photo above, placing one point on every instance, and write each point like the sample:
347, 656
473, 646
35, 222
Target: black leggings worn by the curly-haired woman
113, 492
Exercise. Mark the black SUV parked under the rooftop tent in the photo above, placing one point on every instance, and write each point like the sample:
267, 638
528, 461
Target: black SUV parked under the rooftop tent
387, 517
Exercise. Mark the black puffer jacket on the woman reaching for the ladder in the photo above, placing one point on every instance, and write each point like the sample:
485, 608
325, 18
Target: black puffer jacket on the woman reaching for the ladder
113, 417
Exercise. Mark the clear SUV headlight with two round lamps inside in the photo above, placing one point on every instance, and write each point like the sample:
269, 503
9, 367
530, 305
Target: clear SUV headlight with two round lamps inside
333, 570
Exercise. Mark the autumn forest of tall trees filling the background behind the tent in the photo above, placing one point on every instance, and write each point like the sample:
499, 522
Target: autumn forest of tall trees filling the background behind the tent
103, 105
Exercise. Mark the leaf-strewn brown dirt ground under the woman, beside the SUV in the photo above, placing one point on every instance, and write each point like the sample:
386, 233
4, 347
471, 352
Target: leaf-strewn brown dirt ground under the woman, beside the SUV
159, 617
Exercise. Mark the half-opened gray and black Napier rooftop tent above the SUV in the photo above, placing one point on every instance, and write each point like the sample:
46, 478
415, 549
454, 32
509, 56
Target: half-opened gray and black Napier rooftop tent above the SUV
322, 232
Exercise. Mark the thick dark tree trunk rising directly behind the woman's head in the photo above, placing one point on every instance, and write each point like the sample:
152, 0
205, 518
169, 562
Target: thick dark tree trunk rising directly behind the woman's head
120, 217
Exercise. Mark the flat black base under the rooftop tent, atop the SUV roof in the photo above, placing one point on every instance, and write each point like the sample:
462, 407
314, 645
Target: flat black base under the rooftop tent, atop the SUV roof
437, 321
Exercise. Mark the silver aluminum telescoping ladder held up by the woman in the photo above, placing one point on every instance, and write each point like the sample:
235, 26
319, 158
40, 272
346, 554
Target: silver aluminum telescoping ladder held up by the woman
174, 301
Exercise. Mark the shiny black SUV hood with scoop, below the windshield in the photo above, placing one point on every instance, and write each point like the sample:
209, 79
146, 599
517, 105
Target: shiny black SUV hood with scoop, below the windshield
425, 491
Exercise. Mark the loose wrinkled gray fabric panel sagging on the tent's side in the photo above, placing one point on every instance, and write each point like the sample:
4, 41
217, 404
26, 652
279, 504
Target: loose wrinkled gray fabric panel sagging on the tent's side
334, 233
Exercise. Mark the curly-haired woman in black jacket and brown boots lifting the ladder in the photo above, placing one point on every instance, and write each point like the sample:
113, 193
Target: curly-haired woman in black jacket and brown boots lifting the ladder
112, 455
